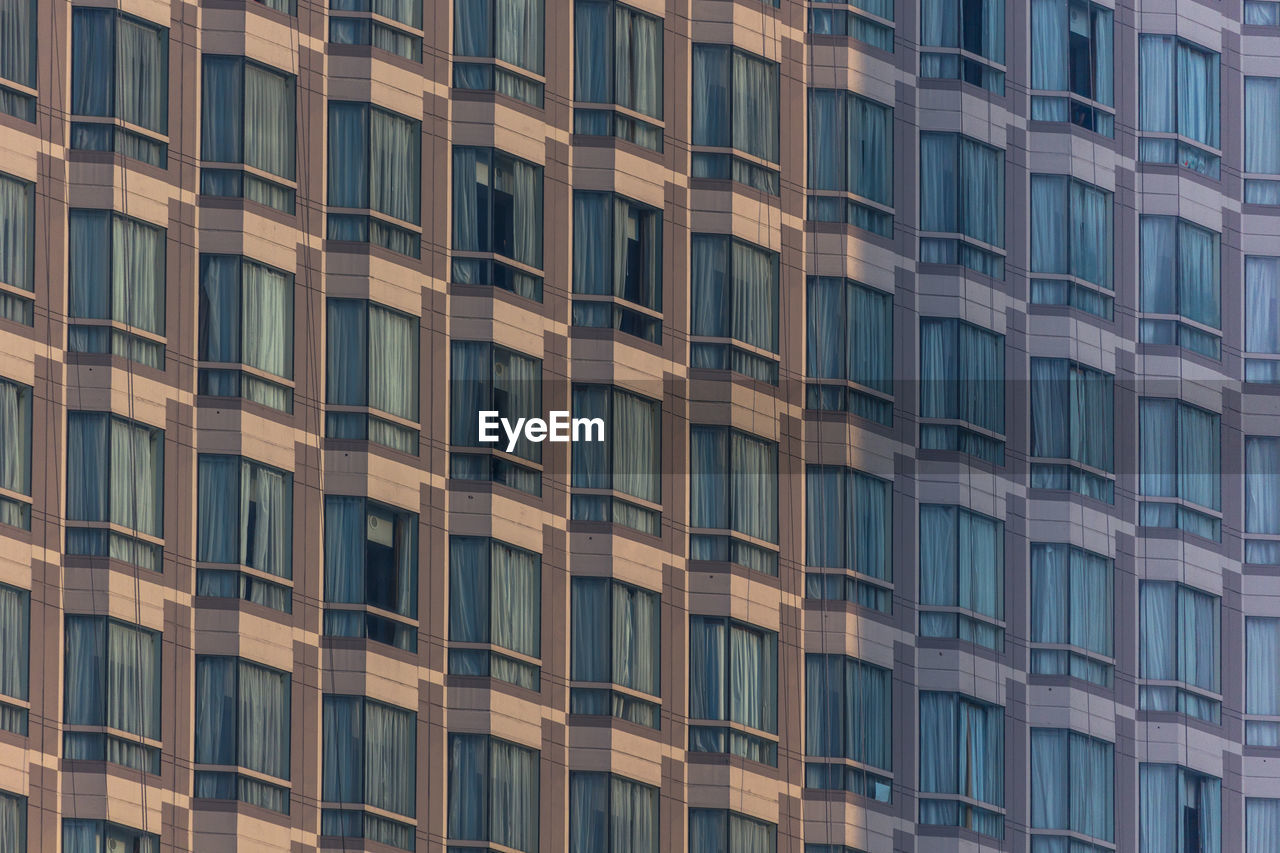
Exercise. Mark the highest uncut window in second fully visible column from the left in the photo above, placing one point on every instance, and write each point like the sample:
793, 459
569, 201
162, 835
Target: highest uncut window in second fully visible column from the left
249, 120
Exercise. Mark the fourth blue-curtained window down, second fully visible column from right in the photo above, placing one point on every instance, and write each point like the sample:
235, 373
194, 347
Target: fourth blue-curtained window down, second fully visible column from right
1072, 617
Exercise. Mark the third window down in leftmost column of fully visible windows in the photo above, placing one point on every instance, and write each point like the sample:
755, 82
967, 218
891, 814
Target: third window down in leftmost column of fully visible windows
115, 489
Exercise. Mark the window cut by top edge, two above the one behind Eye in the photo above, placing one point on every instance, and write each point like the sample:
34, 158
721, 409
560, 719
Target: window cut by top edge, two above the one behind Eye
510, 31
